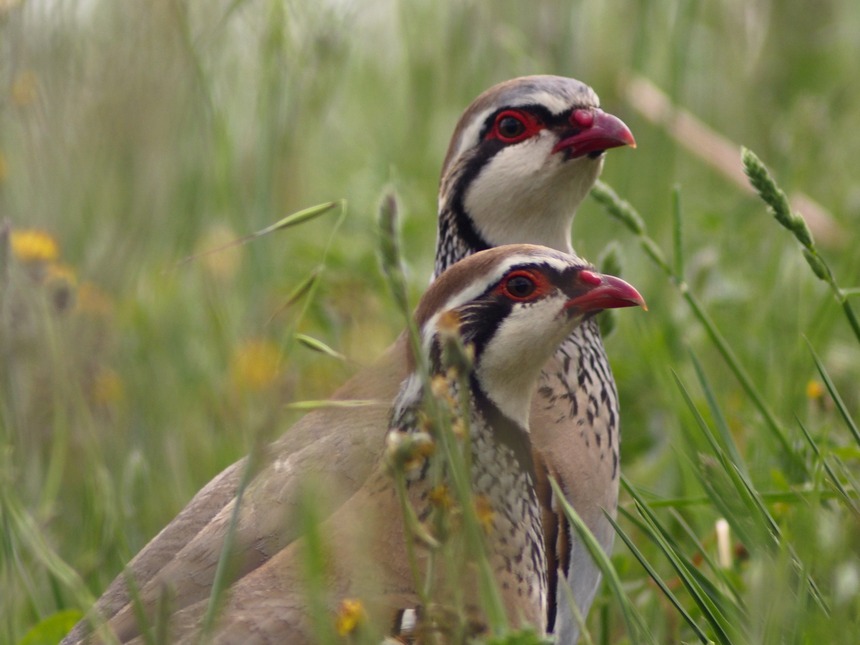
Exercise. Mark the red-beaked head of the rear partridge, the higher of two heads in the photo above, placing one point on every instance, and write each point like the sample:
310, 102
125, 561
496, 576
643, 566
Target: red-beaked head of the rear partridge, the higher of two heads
522, 158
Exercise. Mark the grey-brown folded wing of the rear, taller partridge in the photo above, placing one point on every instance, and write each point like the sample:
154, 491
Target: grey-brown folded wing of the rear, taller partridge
336, 445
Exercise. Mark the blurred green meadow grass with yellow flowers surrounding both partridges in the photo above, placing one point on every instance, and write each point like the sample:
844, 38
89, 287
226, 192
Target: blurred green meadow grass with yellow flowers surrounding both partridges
139, 136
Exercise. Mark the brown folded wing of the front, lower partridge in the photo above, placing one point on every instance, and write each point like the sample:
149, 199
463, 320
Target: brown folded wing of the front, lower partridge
365, 558
